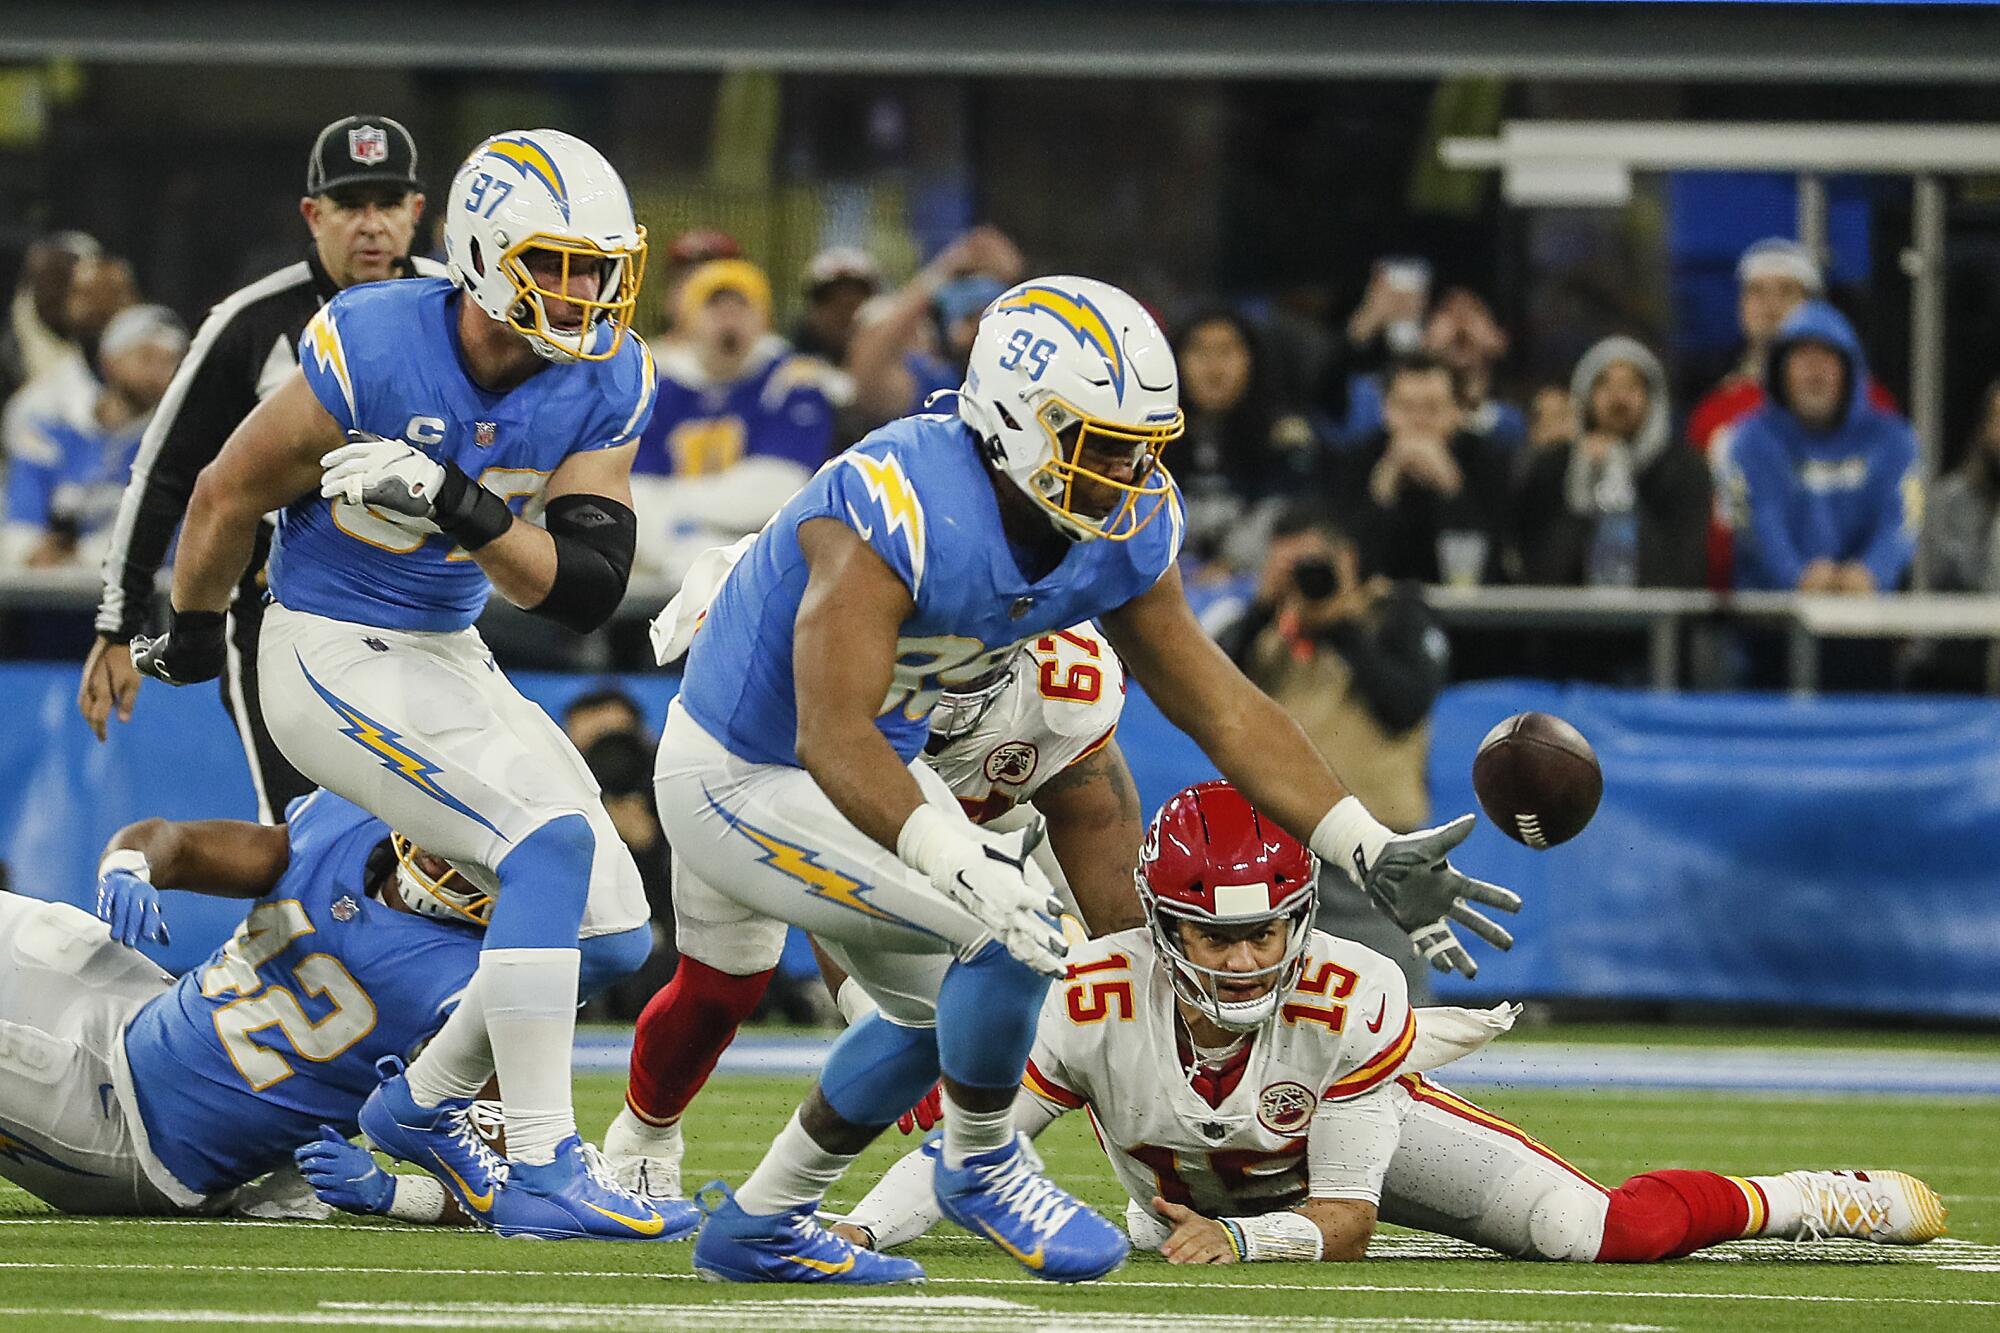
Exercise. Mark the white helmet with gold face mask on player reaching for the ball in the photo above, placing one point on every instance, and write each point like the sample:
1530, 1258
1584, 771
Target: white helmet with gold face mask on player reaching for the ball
1069, 377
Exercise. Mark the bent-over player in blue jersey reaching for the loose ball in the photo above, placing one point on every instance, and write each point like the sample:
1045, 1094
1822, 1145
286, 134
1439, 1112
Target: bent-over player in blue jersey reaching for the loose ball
793, 790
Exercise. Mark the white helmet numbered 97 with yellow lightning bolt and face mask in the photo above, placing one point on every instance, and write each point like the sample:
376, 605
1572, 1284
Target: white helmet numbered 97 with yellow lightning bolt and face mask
545, 191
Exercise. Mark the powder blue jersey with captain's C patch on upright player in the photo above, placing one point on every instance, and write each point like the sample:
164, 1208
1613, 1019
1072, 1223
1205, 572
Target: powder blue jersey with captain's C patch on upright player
385, 357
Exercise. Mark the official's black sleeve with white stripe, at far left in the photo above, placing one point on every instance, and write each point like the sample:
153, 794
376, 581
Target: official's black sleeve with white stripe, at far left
213, 391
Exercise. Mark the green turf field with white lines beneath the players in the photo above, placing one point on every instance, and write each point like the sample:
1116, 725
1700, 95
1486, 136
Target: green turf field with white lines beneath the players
79, 1274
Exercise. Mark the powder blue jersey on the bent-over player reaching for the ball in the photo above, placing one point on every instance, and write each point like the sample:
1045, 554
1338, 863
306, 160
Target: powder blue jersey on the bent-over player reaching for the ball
921, 497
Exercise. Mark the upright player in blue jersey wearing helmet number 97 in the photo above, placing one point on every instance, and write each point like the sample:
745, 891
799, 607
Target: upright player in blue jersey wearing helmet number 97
469, 405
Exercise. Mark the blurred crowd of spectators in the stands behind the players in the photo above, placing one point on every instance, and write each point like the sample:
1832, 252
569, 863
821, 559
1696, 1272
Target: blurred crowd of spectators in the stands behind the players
1401, 447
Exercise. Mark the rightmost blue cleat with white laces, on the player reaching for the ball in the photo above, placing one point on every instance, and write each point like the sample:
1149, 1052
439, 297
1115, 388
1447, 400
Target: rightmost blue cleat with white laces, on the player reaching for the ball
1003, 1198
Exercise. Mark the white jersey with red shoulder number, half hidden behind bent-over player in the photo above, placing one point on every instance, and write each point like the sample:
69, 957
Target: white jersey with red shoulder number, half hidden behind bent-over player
1059, 706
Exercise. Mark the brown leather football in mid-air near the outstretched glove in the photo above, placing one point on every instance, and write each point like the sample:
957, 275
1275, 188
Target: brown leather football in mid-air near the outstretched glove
1539, 780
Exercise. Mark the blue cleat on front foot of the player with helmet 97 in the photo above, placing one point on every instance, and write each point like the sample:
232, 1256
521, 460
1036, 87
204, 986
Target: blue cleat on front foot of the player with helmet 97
575, 1198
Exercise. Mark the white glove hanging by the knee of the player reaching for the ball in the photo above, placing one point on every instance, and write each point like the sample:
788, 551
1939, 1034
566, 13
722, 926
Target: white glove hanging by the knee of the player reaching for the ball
989, 884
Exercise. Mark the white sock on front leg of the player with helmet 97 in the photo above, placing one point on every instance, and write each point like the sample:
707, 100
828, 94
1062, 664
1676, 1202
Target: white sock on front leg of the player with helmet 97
531, 1020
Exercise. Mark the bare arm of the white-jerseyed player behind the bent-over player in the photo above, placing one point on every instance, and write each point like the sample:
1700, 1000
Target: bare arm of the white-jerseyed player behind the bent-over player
1095, 830
